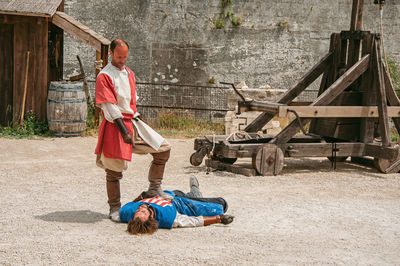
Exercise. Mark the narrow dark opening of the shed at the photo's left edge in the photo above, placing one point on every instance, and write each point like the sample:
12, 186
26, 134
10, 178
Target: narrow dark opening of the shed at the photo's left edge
6, 73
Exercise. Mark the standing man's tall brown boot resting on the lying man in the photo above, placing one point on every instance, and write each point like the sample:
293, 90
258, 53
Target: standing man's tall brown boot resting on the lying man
156, 173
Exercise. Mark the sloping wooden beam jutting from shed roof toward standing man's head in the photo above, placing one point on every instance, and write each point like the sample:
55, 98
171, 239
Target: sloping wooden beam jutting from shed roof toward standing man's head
80, 31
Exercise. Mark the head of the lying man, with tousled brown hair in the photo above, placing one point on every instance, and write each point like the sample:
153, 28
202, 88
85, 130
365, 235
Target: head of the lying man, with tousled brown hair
143, 221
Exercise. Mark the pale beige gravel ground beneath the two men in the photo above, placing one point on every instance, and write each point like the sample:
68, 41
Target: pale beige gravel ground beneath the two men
54, 211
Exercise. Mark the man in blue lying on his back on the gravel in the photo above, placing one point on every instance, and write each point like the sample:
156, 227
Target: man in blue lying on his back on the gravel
145, 216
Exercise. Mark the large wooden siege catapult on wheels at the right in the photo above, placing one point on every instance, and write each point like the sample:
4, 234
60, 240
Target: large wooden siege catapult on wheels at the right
349, 117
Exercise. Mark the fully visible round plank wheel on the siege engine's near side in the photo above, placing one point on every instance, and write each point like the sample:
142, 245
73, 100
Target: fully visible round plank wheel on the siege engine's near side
268, 160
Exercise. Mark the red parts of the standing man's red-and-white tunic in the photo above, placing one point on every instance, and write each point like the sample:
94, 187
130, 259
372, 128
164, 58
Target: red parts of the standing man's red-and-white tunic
110, 141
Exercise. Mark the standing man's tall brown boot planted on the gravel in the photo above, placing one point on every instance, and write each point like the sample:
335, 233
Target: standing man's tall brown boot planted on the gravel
113, 193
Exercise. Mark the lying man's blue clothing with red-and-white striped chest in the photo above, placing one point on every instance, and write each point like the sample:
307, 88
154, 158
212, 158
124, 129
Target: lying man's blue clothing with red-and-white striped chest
165, 211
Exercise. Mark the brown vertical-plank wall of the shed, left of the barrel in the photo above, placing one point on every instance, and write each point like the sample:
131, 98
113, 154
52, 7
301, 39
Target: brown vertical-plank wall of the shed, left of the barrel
30, 33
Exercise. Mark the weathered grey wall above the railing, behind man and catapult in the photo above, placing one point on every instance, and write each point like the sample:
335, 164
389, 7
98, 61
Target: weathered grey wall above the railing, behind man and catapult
174, 40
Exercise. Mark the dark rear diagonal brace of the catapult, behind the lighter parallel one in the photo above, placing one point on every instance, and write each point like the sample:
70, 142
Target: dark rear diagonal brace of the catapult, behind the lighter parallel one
291, 94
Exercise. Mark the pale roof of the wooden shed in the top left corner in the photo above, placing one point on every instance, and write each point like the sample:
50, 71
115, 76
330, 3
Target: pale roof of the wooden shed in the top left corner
40, 8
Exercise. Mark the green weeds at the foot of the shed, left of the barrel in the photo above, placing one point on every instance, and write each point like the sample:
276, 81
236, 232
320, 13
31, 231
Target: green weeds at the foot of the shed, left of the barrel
30, 127
